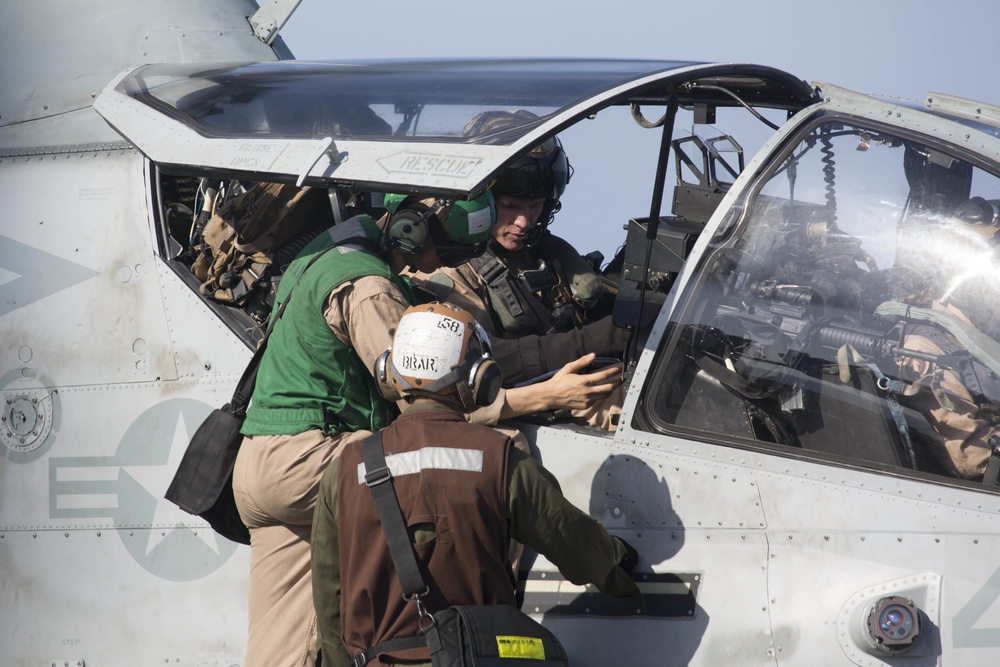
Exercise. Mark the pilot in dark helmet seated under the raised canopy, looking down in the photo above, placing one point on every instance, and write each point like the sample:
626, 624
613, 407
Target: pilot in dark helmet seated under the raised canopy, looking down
530, 285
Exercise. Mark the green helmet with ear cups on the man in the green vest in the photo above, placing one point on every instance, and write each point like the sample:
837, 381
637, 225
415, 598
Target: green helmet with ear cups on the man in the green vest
458, 229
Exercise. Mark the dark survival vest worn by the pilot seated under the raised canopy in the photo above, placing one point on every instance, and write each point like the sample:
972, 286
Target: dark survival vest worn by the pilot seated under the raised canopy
551, 298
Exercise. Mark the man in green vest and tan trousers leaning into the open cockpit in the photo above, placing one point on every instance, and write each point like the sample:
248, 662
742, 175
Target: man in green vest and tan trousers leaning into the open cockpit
315, 392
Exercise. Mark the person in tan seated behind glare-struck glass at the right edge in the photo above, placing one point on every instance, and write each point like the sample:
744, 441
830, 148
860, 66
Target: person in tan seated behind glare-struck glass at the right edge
951, 358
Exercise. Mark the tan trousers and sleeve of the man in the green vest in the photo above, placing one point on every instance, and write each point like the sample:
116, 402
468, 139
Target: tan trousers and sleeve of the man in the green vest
275, 483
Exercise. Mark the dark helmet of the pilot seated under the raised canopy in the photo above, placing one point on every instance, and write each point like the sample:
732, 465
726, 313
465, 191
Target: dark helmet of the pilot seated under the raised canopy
541, 173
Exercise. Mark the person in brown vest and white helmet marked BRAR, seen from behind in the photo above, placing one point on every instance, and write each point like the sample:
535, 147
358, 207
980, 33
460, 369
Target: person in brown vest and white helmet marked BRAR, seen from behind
439, 360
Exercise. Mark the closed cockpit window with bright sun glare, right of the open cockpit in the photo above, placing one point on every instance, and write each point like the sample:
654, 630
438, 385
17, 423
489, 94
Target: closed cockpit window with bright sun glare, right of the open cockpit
848, 309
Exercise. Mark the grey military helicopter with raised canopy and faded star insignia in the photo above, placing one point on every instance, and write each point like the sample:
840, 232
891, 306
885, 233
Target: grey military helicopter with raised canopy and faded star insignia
798, 495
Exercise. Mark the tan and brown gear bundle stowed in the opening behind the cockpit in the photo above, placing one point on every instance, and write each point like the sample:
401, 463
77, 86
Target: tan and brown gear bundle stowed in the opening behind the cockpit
253, 235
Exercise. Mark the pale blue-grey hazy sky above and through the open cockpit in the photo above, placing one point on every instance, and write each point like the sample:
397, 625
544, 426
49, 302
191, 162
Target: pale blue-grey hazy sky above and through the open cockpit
898, 48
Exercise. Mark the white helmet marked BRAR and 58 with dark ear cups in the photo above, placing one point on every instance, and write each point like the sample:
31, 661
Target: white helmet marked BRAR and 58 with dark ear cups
440, 351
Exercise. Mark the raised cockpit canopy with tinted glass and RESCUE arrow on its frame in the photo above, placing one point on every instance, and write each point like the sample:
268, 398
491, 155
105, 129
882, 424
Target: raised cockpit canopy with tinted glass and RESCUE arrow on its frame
397, 125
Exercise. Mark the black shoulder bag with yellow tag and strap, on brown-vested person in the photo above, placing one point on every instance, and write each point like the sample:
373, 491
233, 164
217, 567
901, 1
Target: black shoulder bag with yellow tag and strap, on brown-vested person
459, 636
